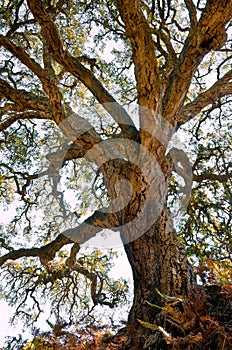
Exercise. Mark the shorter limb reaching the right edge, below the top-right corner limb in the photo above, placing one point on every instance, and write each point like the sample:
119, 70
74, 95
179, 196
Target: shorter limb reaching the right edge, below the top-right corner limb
221, 88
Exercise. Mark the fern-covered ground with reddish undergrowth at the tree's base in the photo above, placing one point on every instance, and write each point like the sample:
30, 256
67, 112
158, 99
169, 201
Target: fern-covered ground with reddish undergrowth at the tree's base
201, 322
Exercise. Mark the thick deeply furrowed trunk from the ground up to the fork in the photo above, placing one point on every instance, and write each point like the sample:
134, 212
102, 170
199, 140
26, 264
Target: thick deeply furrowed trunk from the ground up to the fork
157, 259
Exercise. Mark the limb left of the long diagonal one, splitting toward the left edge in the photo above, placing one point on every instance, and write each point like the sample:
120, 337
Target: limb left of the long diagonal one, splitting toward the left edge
50, 84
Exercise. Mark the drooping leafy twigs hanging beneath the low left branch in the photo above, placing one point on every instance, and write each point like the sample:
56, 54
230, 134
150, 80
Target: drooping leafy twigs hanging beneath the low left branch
65, 291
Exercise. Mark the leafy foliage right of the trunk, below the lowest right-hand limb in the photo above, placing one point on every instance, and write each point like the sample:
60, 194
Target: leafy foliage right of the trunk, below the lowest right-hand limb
205, 228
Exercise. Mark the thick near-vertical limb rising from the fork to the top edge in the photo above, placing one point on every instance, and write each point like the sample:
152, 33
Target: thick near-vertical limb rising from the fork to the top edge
146, 67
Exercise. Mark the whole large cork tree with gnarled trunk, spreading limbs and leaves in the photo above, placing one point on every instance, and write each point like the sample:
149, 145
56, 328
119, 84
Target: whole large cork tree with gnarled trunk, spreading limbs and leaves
93, 95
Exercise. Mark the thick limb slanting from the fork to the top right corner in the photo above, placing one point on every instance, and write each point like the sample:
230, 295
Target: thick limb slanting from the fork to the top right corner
208, 35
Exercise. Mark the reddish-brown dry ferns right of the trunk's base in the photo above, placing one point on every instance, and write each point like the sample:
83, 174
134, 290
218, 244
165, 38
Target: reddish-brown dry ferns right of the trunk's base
200, 321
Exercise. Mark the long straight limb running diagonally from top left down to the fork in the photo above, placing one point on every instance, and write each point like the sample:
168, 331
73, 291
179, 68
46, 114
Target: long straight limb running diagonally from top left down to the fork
56, 48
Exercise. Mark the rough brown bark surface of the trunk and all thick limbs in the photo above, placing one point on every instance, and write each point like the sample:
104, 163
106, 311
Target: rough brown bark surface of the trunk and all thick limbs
136, 171
